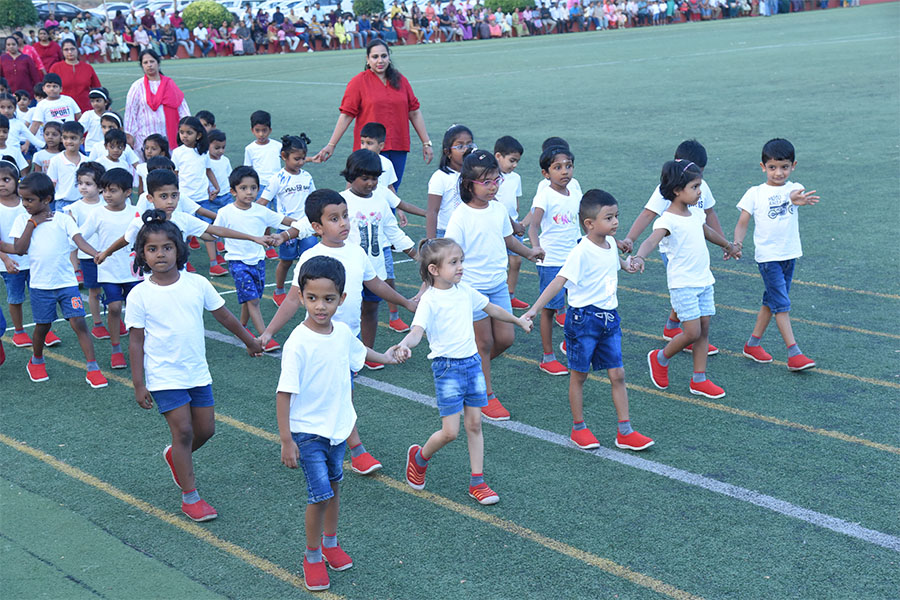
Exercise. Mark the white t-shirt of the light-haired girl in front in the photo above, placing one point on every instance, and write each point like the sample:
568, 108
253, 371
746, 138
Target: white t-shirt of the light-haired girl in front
446, 316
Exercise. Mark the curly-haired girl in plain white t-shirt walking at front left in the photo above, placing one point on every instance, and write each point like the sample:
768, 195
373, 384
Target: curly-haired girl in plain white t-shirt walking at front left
165, 322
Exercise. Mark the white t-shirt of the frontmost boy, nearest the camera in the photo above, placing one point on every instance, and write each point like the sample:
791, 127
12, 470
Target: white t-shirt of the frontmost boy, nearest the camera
315, 371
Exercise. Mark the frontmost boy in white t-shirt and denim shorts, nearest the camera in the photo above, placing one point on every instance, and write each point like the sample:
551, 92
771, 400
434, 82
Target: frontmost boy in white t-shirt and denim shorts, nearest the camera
315, 411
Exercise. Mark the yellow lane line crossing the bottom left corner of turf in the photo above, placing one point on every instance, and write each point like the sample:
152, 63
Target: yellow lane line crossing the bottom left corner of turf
174, 520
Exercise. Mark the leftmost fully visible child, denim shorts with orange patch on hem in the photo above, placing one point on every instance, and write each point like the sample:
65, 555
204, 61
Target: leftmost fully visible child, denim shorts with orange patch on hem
45, 237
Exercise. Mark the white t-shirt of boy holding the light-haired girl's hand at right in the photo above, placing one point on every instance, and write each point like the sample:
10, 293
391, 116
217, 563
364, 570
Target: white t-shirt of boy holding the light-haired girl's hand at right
592, 274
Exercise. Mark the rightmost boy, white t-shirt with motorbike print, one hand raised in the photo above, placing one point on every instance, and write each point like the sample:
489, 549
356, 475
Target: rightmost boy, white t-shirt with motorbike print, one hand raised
776, 237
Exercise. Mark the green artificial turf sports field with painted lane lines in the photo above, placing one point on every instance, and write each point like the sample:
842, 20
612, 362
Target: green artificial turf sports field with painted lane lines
785, 488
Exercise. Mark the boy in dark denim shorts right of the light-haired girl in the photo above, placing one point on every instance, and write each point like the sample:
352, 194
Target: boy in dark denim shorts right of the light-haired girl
593, 332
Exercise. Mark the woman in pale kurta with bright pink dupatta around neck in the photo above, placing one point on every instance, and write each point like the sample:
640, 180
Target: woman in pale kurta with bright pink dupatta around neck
154, 104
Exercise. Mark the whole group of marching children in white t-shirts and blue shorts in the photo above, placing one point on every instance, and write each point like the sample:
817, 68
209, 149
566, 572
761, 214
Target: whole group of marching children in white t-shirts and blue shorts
71, 220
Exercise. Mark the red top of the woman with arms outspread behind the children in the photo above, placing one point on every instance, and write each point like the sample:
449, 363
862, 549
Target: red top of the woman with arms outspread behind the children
366, 99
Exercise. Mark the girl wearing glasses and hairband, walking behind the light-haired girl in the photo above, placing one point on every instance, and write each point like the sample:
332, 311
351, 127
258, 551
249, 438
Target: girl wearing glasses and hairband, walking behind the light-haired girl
482, 228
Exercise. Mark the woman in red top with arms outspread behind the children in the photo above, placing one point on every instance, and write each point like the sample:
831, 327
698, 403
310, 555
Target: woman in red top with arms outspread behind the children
380, 93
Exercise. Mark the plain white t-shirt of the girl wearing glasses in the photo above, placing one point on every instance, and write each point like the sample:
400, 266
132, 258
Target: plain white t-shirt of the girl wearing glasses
481, 233
